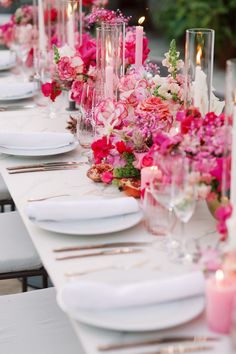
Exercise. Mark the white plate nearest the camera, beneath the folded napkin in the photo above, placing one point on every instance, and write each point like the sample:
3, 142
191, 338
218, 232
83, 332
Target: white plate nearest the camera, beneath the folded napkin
147, 318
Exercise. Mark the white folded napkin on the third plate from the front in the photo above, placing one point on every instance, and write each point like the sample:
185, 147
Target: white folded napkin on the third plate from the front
35, 141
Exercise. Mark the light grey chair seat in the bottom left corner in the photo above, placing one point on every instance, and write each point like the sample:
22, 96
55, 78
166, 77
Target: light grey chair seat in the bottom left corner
33, 323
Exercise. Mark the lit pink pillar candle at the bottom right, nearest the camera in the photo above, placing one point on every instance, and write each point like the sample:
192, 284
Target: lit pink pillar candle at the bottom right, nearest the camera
221, 294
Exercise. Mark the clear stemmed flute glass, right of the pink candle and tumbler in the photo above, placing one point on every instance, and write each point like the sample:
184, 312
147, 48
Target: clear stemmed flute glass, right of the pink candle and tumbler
184, 203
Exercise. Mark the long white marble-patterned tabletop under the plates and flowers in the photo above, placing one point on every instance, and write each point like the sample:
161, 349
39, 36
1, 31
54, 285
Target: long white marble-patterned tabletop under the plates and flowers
75, 183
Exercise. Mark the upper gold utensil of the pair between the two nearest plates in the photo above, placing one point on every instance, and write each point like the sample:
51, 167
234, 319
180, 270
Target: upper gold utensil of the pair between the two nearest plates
102, 245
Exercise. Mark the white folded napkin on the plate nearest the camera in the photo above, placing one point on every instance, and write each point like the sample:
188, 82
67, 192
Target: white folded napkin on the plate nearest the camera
100, 296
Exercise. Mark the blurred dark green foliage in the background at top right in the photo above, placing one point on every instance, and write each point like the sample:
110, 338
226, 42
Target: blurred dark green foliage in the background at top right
176, 16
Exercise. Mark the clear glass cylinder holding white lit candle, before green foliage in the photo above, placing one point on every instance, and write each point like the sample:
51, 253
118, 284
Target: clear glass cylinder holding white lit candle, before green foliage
199, 59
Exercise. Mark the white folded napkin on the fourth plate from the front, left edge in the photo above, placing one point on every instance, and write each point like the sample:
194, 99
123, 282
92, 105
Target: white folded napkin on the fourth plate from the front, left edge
16, 89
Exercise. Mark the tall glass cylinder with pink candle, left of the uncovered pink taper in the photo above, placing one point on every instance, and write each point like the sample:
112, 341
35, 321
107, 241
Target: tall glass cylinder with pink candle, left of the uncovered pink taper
111, 48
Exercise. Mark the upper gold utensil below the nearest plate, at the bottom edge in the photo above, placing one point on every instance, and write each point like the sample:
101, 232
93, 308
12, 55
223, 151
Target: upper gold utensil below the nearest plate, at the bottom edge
155, 341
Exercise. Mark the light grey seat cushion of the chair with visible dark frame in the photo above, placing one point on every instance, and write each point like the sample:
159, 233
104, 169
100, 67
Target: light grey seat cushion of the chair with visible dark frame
17, 251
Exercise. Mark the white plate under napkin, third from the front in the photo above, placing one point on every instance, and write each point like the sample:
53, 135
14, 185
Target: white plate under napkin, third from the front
38, 152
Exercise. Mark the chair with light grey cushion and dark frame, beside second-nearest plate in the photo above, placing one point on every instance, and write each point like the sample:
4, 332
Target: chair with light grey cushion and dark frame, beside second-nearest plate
18, 257
